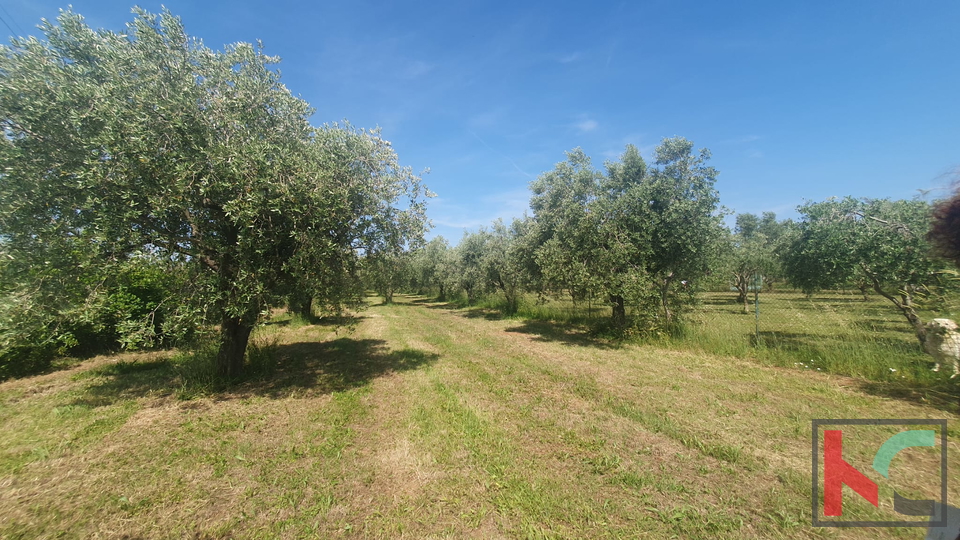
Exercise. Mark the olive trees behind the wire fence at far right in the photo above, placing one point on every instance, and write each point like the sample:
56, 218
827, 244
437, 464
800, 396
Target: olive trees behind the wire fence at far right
874, 245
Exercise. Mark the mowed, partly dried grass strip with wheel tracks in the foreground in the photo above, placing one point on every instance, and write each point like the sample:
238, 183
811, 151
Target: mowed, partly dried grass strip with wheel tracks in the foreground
422, 421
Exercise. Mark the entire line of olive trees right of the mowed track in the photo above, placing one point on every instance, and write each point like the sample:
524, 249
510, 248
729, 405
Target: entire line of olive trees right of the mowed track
645, 241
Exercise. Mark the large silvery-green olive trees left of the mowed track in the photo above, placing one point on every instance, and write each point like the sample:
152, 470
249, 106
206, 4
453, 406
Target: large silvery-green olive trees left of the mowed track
148, 144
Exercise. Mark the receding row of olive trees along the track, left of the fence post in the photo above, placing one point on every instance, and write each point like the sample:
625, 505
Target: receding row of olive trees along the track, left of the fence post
631, 235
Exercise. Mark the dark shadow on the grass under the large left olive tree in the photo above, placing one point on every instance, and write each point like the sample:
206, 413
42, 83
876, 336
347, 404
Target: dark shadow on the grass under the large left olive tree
278, 371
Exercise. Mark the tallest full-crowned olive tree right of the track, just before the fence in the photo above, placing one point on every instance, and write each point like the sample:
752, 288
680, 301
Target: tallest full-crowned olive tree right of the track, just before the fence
637, 234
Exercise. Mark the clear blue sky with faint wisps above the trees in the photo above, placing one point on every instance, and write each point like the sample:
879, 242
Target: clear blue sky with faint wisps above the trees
797, 101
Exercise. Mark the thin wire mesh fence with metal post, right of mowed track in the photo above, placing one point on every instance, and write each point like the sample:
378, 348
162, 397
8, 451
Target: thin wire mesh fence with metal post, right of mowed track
850, 331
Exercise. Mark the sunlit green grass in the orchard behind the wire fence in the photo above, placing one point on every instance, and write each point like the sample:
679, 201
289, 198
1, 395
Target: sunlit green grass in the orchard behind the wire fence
832, 331
